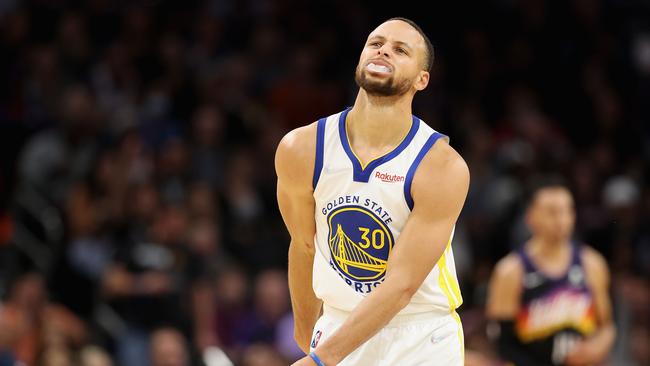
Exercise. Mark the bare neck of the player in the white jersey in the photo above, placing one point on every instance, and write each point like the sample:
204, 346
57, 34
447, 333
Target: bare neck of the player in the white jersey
379, 120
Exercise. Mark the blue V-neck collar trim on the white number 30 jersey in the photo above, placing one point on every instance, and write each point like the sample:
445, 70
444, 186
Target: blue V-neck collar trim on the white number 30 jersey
361, 173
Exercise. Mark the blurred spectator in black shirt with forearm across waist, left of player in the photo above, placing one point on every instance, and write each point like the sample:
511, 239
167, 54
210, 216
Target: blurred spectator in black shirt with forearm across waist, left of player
153, 282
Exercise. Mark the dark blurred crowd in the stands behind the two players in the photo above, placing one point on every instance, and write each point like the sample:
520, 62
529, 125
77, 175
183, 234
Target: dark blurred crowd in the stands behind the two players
138, 220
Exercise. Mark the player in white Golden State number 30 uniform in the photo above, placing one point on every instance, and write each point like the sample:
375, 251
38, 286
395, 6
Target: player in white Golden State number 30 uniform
370, 196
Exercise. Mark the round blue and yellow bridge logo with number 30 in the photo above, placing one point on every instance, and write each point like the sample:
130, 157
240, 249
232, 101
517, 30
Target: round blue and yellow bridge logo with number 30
359, 244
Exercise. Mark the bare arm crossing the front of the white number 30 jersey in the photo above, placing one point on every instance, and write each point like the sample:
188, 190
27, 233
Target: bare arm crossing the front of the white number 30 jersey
439, 189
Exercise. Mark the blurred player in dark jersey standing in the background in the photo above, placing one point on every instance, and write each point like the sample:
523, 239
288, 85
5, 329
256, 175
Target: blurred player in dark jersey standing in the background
550, 298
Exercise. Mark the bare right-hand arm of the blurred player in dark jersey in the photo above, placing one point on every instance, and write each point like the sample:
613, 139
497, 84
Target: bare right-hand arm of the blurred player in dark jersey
596, 348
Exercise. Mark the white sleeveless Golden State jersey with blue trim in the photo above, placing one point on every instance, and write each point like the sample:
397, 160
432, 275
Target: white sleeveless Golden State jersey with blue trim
360, 212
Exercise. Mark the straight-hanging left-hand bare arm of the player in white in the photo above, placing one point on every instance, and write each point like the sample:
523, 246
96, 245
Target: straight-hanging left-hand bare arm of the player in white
294, 164
